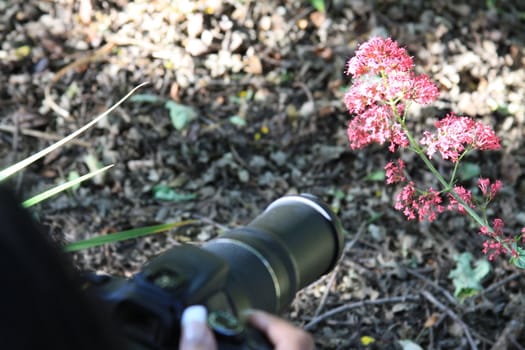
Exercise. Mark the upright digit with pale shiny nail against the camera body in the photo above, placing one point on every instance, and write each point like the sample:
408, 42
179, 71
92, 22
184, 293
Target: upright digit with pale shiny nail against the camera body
195, 332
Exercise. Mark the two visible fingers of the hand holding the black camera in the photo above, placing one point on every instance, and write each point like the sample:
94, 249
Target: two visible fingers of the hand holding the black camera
196, 335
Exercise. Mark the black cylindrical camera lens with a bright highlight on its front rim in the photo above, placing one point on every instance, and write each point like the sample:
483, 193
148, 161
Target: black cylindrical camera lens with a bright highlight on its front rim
296, 240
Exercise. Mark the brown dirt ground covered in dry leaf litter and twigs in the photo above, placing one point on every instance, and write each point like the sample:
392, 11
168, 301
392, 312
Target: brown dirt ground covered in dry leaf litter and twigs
262, 83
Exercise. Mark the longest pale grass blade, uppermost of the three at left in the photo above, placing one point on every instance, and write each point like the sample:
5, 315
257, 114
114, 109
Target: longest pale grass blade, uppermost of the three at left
27, 161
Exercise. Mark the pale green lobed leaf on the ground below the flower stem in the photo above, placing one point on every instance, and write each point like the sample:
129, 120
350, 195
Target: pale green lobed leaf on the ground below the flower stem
466, 279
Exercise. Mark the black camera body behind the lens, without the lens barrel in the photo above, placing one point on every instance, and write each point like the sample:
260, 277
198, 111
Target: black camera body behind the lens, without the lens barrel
148, 307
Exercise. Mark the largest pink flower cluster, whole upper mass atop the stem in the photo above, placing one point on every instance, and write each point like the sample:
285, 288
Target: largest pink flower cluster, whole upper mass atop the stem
383, 83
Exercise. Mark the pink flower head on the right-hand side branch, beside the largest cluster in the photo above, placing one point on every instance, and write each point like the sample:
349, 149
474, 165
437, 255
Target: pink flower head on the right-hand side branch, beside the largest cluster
456, 134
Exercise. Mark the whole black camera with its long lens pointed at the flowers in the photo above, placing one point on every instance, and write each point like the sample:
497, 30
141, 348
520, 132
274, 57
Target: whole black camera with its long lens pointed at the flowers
296, 240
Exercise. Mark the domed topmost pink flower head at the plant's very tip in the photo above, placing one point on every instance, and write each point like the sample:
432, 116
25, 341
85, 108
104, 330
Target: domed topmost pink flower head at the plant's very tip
379, 55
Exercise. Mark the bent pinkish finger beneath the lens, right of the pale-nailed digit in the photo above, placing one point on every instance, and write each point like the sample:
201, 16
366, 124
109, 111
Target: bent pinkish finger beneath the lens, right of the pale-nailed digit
282, 334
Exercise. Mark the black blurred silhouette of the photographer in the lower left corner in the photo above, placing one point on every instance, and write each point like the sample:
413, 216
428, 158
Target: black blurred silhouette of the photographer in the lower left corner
41, 303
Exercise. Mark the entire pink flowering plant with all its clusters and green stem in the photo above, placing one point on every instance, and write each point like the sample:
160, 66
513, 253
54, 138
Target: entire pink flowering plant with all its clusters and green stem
384, 85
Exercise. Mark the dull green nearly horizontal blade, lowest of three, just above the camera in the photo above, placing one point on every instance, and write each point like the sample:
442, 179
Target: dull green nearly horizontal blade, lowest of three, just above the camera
124, 235
